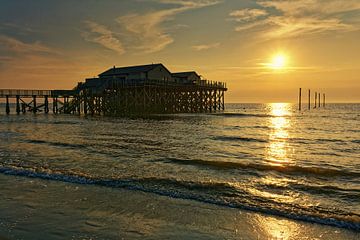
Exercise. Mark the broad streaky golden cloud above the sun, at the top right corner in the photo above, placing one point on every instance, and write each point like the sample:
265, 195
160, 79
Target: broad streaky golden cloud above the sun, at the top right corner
279, 19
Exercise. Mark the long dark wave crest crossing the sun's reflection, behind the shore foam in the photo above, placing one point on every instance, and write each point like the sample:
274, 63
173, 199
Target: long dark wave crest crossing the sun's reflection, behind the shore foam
288, 169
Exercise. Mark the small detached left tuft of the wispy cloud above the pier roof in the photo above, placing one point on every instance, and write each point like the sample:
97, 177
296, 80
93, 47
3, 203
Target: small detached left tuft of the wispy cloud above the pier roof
100, 34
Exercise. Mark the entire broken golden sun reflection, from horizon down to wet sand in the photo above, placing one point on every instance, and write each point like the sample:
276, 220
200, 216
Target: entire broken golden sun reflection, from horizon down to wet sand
277, 154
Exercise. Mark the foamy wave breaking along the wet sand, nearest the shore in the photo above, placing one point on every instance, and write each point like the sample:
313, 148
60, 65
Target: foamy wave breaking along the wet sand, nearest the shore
223, 194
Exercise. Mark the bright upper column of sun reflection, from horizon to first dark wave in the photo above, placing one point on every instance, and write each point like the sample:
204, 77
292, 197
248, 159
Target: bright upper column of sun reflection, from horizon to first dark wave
277, 150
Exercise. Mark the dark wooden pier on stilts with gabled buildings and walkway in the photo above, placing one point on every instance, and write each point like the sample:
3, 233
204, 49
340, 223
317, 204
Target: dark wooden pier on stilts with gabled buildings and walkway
146, 89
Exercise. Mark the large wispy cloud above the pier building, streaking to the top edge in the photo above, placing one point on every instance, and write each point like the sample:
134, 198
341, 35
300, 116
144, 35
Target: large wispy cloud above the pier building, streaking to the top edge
143, 32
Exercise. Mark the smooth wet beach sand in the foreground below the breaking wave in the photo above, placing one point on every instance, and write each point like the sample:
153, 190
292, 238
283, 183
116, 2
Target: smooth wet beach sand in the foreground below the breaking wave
40, 209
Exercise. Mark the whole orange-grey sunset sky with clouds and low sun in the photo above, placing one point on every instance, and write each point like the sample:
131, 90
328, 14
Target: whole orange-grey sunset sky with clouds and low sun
51, 44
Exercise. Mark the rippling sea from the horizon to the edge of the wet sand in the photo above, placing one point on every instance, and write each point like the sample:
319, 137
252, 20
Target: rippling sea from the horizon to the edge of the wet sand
266, 158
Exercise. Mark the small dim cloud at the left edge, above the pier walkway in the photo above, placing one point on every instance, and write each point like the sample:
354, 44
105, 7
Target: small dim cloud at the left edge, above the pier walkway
16, 46
